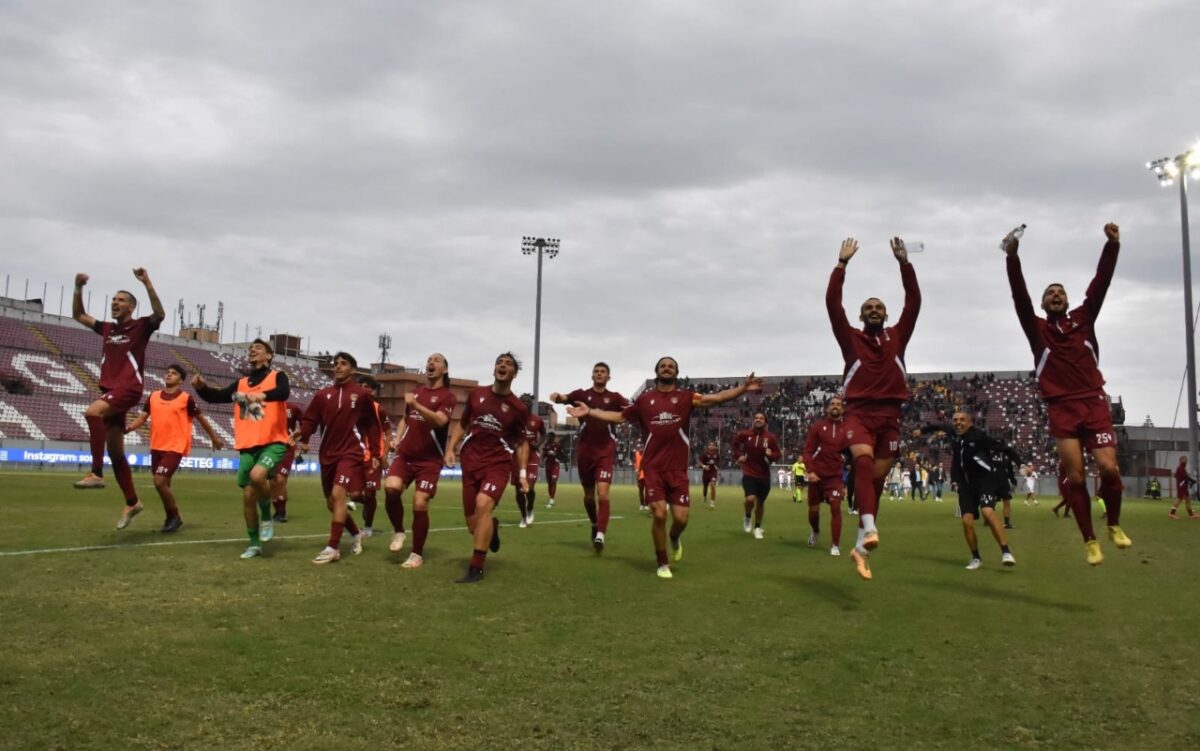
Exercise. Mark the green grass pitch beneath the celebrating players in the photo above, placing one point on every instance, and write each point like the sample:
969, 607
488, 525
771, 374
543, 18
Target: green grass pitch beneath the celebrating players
754, 645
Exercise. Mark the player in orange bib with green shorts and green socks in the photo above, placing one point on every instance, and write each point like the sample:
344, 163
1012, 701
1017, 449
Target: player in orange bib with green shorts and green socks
260, 435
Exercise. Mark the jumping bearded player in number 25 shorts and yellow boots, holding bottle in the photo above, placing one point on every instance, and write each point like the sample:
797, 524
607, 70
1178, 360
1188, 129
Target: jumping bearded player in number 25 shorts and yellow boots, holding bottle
1066, 357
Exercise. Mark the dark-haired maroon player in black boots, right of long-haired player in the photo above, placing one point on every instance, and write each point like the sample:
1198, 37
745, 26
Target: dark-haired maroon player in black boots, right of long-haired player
488, 436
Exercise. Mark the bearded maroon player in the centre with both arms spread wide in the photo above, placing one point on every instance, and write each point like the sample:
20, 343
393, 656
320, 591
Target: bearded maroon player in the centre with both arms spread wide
664, 414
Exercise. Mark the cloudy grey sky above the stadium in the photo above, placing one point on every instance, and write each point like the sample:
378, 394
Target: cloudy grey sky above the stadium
355, 169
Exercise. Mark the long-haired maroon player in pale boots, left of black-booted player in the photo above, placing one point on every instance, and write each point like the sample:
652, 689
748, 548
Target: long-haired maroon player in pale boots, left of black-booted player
421, 449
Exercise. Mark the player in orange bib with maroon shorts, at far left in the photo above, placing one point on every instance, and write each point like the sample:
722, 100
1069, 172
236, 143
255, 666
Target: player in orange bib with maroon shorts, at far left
171, 412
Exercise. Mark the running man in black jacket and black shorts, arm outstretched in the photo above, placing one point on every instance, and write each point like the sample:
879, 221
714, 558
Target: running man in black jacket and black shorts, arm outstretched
980, 479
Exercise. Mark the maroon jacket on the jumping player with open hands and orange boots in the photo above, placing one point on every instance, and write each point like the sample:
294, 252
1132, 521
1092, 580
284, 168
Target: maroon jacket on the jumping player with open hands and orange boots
875, 369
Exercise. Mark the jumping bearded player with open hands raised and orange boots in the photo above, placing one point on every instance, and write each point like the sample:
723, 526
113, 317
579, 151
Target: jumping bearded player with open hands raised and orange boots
875, 387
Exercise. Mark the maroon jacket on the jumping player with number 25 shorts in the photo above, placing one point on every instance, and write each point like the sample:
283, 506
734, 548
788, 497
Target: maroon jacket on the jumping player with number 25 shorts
1066, 355
